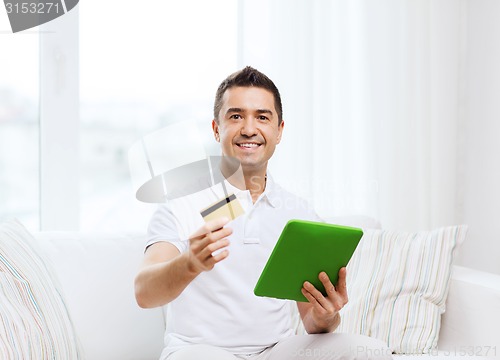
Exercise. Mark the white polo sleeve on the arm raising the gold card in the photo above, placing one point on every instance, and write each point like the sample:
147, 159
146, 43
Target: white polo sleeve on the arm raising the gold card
164, 226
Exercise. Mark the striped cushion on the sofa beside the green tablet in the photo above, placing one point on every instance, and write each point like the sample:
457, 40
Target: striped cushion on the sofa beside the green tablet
397, 284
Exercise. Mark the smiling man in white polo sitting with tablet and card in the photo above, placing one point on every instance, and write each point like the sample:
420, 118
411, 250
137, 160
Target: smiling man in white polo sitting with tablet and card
206, 272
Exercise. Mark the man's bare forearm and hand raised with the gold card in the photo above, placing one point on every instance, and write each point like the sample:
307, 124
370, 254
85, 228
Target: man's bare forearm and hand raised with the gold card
165, 272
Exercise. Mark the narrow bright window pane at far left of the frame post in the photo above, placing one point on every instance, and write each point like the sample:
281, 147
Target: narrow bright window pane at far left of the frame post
19, 125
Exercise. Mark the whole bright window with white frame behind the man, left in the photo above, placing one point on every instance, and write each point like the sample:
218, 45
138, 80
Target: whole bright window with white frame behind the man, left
64, 143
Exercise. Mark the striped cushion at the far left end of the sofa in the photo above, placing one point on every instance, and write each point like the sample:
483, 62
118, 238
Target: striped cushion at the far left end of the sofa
34, 322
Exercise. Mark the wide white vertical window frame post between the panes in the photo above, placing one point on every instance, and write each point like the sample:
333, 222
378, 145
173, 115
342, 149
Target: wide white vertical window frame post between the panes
59, 123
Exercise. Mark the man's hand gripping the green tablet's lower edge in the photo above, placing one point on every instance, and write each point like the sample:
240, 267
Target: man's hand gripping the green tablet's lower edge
321, 314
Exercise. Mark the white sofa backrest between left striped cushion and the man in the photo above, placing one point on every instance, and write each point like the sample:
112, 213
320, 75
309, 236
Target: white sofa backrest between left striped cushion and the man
97, 272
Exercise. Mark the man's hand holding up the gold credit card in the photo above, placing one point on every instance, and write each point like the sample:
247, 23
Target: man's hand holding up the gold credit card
205, 243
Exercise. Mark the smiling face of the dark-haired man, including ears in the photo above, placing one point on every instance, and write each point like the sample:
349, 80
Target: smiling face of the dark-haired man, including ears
248, 127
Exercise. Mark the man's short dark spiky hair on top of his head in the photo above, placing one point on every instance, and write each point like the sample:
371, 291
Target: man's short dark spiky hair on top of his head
245, 78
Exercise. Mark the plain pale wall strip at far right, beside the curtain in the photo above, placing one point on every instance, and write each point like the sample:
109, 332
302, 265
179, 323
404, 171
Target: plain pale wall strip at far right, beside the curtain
480, 150
